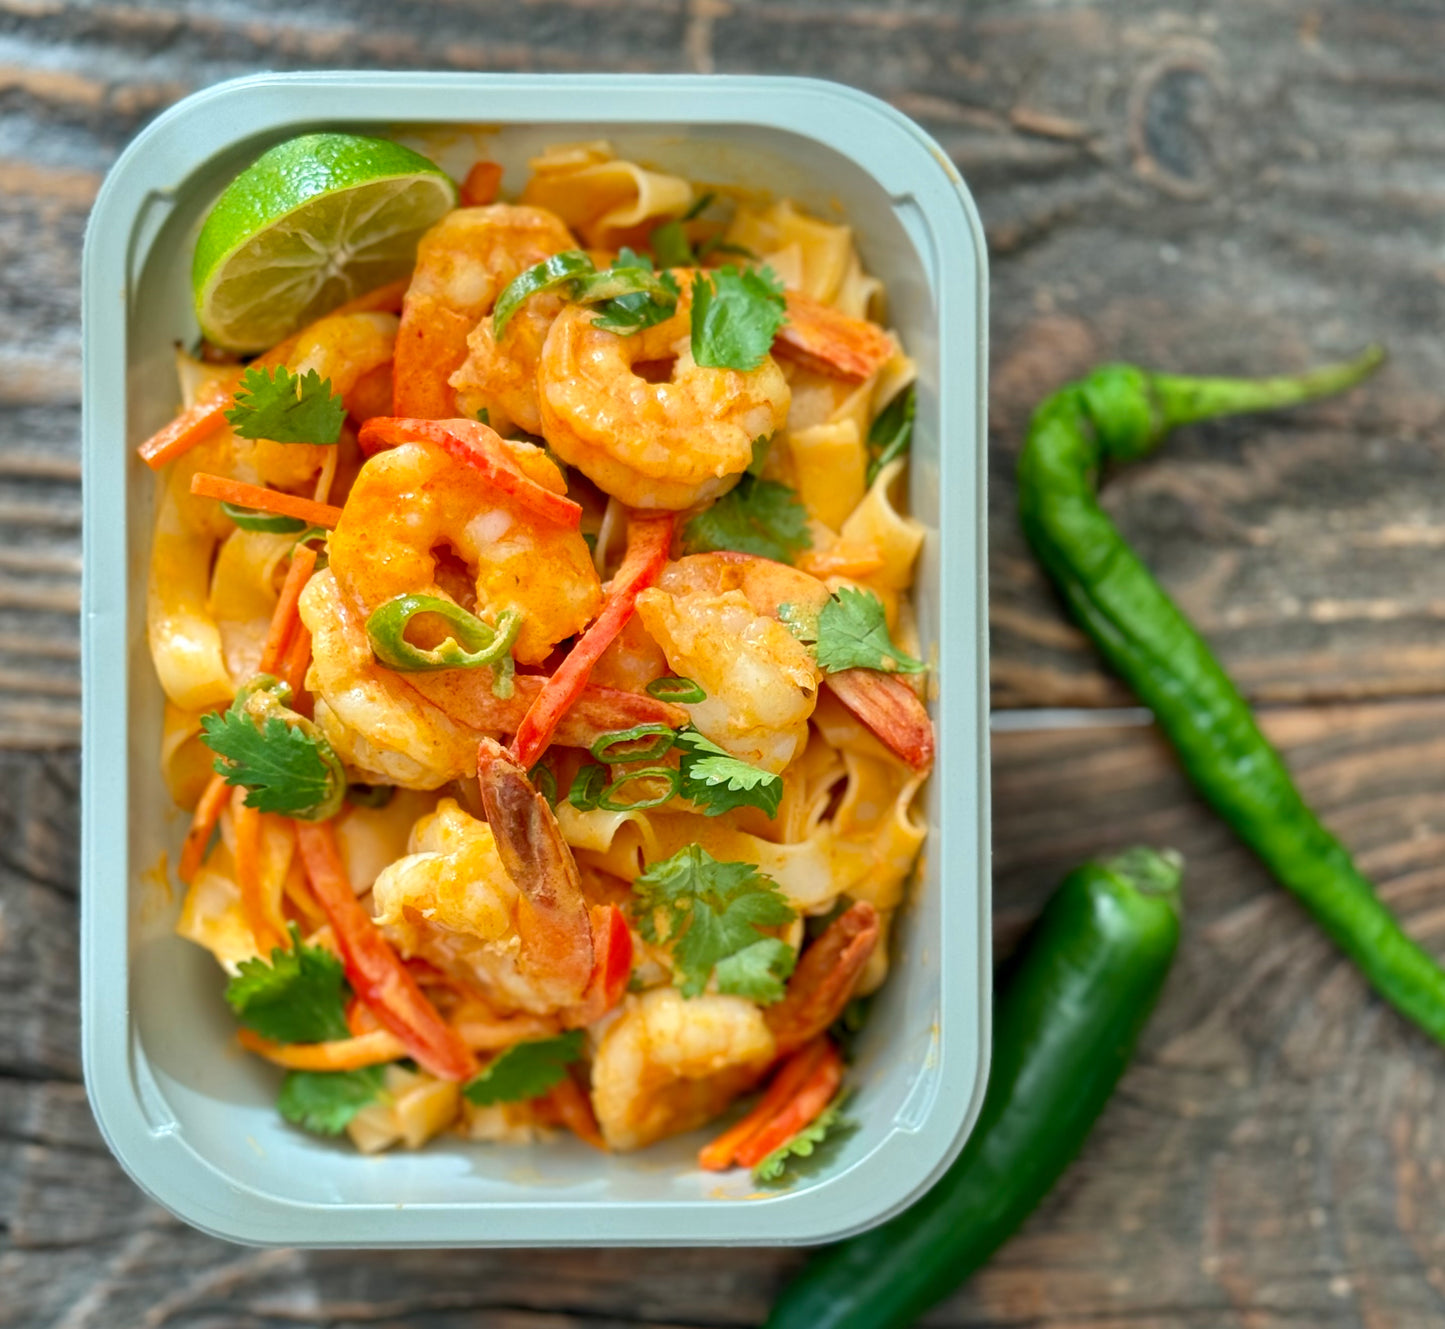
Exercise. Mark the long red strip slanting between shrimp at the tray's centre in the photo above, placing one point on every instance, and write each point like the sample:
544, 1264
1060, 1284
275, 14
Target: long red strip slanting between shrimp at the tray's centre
650, 542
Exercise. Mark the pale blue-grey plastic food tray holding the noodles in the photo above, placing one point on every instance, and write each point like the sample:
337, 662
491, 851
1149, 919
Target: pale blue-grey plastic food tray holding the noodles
190, 1116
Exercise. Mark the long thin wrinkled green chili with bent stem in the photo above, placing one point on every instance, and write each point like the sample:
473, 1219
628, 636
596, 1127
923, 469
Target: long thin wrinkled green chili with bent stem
1122, 414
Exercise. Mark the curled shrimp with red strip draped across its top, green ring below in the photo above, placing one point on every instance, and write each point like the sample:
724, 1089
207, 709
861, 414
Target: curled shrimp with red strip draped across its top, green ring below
414, 502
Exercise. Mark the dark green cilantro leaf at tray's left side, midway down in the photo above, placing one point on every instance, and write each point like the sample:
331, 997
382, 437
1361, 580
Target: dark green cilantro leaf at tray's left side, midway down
287, 768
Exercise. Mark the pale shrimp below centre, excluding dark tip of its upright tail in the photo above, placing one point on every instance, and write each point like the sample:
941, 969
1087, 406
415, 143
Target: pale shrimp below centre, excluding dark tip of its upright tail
453, 902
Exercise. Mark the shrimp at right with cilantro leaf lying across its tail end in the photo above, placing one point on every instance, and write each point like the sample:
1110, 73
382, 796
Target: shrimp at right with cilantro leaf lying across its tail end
716, 618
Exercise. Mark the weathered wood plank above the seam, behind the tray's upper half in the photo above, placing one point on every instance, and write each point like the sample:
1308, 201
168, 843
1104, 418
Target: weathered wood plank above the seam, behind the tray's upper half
1199, 191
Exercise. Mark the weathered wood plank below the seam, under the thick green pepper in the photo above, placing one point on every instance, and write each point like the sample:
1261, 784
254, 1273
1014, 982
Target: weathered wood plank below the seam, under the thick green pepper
1274, 1158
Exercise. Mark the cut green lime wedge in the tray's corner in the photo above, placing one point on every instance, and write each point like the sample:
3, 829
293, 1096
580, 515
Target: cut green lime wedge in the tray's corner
311, 225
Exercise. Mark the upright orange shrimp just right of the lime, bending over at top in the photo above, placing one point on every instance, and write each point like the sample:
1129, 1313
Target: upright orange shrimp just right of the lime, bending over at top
463, 264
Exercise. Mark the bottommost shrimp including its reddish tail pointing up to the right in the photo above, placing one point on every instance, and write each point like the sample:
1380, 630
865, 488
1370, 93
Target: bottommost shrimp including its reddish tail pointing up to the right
671, 1064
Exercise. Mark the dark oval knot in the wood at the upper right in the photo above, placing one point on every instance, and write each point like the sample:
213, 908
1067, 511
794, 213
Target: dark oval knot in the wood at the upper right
1174, 122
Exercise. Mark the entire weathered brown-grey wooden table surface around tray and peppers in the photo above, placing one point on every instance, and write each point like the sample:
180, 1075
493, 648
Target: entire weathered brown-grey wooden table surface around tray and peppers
1204, 187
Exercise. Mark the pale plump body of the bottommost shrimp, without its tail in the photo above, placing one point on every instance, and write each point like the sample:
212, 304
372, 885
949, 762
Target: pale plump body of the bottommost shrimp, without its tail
671, 1064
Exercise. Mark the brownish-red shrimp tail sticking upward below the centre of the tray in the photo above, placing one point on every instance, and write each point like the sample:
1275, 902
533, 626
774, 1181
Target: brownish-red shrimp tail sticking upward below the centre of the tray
553, 917
